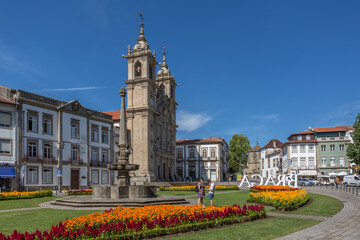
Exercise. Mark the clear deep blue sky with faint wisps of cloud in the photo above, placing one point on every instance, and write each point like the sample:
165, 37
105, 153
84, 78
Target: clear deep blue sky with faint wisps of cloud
260, 68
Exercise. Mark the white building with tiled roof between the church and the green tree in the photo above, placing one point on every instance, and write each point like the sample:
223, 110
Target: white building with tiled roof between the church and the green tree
206, 158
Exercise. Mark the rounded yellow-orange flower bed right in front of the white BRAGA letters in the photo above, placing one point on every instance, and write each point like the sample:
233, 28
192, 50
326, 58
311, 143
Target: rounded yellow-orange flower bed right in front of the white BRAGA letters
285, 200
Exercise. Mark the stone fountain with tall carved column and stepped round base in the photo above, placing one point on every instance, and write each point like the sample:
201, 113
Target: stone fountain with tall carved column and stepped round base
123, 193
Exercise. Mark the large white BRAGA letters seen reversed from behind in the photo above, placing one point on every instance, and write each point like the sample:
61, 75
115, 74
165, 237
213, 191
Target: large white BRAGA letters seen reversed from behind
282, 180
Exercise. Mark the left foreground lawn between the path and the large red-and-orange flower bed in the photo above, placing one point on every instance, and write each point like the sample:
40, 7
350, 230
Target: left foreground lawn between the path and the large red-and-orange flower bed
41, 219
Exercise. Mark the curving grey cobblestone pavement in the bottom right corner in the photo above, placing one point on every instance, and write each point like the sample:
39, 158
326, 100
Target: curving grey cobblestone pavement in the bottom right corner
344, 225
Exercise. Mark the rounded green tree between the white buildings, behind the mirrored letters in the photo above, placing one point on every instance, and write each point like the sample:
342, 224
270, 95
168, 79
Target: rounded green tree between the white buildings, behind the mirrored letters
239, 146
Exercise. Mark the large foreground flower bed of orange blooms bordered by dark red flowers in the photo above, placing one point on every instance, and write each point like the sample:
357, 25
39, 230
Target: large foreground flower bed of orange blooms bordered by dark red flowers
145, 222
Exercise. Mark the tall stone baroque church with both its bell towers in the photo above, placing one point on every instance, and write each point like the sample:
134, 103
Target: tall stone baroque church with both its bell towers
151, 114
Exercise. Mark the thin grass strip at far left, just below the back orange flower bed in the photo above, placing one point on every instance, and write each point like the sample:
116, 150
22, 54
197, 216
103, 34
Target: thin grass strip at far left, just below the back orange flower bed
24, 203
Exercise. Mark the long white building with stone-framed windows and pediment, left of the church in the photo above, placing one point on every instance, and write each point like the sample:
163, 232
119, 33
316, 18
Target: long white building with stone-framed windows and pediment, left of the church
61, 144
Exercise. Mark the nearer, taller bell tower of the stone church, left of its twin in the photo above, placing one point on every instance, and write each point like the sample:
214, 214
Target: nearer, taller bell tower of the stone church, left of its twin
141, 88
